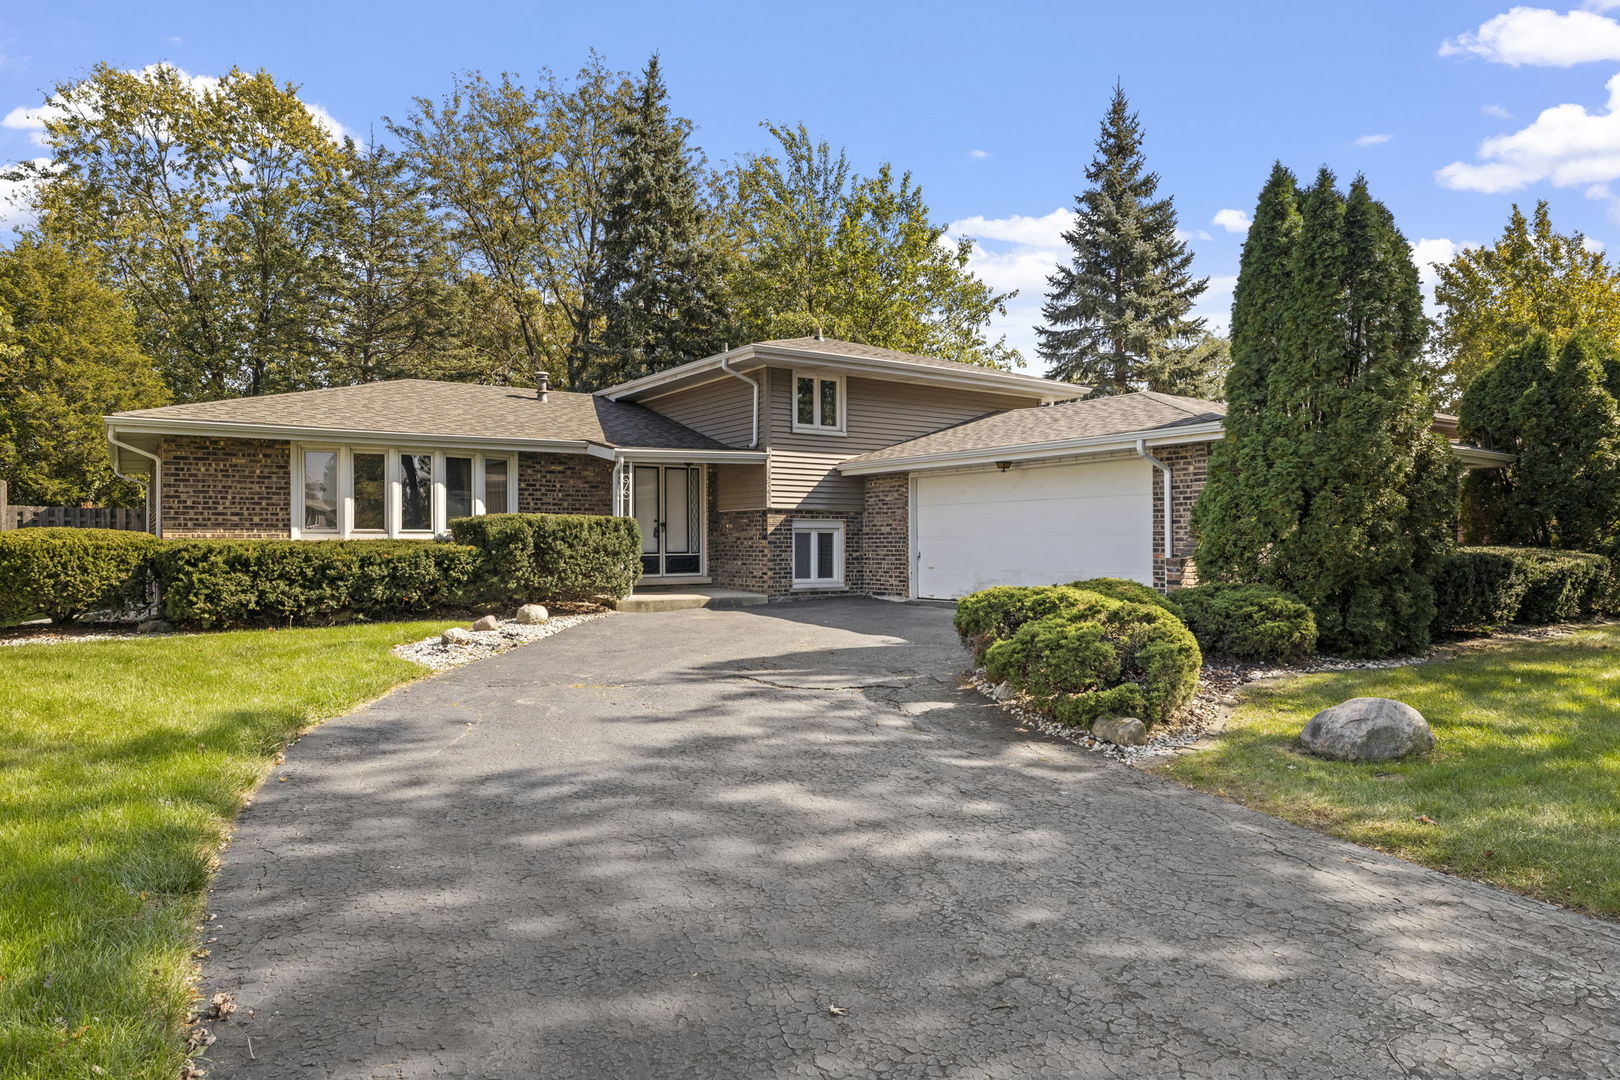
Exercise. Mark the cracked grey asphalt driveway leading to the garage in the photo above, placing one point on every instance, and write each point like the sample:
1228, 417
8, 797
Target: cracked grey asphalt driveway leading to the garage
782, 843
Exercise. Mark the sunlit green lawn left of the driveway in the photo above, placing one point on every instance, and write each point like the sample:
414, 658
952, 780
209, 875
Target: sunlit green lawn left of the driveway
122, 765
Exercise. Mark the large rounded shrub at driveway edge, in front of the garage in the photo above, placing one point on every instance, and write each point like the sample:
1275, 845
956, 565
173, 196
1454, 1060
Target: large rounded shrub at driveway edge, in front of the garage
1112, 658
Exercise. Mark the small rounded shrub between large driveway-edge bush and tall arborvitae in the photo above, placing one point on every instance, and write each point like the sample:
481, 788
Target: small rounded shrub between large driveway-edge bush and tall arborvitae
1250, 623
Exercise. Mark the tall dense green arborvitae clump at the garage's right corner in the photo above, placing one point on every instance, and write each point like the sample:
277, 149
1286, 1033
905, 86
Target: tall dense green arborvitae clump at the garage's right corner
1331, 483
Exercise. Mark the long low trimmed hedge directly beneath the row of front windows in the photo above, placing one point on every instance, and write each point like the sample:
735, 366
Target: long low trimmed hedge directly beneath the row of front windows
245, 584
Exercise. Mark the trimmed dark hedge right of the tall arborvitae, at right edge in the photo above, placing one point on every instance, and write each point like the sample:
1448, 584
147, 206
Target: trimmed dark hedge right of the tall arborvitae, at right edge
1486, 587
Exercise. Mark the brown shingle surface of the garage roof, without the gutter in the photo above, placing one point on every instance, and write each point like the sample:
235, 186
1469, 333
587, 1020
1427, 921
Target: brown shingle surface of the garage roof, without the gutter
1123, 414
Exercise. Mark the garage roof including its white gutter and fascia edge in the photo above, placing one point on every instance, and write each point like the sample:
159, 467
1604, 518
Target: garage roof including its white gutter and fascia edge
1081, 427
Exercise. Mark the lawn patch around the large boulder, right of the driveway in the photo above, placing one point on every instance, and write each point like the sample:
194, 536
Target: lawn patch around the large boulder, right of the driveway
1522, 784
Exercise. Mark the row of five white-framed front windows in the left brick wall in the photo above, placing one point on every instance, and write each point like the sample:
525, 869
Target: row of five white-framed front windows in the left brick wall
396, 491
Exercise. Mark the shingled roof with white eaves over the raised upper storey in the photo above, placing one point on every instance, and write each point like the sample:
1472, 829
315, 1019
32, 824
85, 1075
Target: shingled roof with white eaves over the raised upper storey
868, 360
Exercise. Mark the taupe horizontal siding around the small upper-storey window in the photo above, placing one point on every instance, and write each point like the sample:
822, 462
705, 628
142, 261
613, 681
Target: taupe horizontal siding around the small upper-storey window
879, 414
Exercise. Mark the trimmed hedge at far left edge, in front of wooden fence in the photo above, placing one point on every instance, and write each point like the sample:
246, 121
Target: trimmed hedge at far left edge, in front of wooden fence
67, 574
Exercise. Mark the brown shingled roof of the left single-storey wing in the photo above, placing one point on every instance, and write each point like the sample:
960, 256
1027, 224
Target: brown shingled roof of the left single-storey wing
420, 407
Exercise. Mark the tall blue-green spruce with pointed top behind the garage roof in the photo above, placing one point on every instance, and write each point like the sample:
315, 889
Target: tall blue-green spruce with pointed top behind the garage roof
1117, 312
